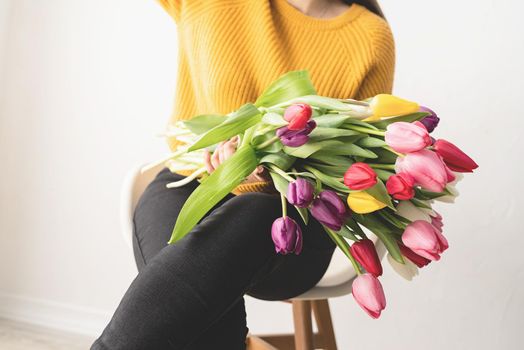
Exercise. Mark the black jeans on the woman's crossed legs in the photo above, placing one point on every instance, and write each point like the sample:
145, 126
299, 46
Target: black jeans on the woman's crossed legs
190, 295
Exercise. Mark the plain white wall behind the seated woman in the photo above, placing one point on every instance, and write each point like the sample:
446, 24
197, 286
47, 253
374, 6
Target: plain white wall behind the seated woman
87, 86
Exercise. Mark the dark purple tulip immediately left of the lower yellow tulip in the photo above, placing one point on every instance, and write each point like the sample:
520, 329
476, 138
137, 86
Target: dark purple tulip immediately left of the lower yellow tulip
329, 210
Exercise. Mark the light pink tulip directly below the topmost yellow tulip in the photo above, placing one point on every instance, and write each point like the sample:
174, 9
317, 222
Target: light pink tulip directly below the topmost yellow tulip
407, 137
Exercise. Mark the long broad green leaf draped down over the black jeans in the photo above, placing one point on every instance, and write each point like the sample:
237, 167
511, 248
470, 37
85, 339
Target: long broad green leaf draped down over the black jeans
222, 181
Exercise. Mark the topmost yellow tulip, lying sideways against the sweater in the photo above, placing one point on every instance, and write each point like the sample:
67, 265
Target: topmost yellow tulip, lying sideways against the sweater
384, 105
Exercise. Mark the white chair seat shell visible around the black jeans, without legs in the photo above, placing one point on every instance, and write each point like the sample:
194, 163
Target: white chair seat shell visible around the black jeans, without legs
336, 280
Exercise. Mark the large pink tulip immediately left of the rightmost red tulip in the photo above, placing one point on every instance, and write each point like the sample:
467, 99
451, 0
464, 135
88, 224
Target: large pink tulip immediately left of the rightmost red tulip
426, 168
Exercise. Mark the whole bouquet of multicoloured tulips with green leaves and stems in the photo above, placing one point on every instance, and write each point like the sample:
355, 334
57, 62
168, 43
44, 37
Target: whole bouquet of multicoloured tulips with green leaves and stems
355, 166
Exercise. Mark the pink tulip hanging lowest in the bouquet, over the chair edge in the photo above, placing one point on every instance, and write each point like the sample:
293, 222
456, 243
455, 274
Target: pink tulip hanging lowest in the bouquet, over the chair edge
369, 294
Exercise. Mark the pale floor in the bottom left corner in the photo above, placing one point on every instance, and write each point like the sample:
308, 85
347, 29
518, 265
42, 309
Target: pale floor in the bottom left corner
20, 336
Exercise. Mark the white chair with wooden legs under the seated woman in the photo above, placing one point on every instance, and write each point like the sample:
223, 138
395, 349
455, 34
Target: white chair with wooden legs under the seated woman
336, 282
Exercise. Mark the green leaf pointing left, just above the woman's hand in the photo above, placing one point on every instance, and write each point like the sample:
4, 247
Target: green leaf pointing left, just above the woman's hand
236, 123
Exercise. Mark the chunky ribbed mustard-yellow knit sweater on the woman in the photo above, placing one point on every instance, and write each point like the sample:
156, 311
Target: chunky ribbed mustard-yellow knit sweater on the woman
231, 50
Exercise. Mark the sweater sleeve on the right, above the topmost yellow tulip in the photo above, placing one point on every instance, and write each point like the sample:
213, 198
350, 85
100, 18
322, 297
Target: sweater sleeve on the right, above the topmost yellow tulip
379, 78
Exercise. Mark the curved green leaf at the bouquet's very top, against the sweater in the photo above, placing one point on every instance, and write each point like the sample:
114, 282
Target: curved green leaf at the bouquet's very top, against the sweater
290, 85
